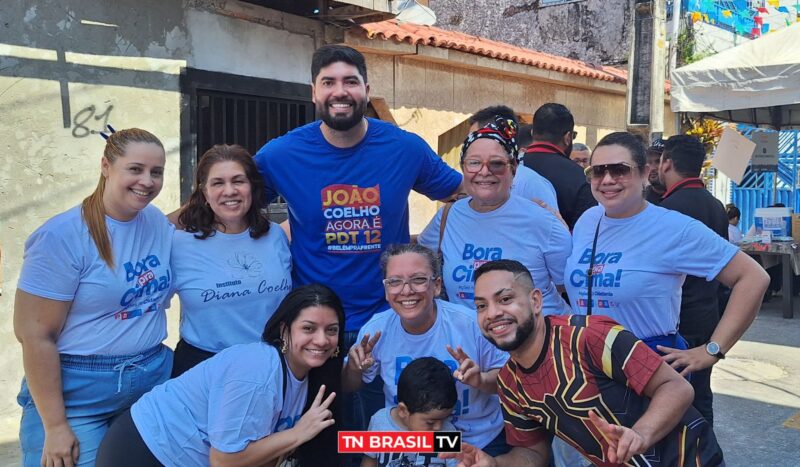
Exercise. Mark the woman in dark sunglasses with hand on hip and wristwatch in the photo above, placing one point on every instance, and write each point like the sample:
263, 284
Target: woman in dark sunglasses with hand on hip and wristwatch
630, 258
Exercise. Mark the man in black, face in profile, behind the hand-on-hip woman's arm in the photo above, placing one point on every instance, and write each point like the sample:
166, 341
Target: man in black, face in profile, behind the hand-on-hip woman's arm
679, 170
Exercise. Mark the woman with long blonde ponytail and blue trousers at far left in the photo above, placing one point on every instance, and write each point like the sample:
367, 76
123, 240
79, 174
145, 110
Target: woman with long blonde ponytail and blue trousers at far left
89, 309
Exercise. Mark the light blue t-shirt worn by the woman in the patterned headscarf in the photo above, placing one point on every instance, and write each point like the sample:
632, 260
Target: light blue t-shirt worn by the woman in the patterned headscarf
519, 229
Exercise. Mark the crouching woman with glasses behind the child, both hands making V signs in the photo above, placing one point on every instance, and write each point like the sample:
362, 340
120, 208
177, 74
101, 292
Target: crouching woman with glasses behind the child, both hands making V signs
418, 325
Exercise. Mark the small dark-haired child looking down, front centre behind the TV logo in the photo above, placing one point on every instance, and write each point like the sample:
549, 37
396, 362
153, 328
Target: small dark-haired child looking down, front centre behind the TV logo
426, 396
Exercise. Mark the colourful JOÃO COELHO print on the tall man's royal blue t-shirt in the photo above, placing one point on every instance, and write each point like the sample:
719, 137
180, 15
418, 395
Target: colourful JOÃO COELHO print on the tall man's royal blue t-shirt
352, 218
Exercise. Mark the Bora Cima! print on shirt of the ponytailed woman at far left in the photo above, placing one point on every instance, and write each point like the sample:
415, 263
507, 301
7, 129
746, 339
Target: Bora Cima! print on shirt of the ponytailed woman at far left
146, 290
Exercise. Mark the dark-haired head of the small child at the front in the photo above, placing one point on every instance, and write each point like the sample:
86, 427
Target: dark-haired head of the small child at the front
426, 394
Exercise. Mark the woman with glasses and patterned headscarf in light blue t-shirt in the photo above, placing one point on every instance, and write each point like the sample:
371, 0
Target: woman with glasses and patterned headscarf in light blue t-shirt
491, 223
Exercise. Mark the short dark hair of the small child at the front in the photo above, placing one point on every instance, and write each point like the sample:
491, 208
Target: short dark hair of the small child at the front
427, 384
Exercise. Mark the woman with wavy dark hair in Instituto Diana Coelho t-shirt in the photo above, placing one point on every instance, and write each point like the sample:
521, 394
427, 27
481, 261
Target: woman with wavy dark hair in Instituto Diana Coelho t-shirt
232, 266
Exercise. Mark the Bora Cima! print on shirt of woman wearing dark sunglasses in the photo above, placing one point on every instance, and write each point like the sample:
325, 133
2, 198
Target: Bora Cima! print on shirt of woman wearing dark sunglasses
605, 273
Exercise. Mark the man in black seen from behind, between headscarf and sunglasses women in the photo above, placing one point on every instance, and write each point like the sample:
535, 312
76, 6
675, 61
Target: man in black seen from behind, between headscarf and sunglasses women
553, 132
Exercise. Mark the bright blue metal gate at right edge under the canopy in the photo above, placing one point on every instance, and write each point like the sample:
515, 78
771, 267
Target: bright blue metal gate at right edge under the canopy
759, 190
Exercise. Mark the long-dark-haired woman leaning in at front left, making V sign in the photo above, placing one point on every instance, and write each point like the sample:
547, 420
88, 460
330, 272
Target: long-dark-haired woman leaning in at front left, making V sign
251, 404
